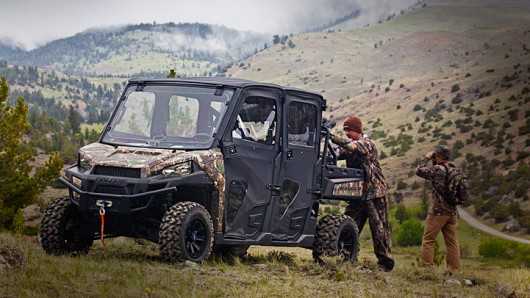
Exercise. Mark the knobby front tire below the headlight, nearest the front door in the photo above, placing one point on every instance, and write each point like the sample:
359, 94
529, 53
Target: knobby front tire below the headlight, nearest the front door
186, 233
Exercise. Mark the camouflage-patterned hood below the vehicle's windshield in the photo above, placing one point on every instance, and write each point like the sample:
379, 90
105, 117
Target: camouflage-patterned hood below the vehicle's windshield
148, 160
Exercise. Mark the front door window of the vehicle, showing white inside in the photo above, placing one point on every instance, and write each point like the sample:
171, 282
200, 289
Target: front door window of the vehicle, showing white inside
256, 121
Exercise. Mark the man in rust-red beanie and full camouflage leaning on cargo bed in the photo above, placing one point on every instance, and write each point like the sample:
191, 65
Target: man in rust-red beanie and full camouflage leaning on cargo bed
360, 151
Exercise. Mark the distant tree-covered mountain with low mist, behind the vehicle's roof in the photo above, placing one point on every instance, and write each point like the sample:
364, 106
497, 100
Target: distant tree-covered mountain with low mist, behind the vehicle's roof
192, 49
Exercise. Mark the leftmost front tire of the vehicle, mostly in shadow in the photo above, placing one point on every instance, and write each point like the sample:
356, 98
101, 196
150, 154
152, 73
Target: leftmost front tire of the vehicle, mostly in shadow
60, 230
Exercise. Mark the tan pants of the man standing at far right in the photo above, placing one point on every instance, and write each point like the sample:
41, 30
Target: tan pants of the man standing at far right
448, 225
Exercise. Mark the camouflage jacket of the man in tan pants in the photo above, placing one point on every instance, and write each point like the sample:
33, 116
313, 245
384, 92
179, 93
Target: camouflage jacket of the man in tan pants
437, 175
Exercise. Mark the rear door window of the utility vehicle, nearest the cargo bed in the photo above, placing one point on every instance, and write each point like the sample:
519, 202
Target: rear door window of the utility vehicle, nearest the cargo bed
301, 124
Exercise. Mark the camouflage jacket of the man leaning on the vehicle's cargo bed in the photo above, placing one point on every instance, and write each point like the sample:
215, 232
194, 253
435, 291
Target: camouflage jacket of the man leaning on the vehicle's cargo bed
365, 152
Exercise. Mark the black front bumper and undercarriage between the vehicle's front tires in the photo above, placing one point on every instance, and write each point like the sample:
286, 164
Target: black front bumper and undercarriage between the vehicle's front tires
134, 207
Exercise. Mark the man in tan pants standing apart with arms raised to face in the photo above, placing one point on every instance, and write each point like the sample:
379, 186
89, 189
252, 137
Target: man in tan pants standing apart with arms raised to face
442, 216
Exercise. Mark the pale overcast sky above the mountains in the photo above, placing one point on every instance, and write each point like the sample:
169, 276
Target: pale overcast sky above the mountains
30, 23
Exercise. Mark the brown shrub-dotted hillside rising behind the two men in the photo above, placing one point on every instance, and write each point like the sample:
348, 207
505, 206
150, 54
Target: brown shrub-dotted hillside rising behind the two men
449, 72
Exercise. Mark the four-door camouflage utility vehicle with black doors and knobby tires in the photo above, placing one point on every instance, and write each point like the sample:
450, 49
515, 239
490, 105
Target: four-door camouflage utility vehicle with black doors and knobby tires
208, 166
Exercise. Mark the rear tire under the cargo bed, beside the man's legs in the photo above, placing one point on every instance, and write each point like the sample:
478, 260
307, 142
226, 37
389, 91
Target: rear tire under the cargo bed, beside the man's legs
336, 236
